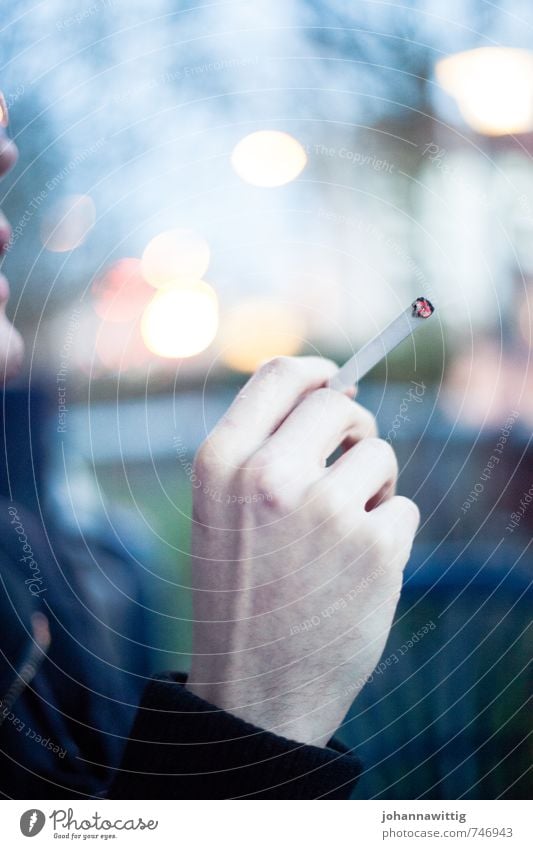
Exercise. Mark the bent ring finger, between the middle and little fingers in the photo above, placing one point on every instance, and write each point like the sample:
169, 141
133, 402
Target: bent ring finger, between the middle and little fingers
366, 472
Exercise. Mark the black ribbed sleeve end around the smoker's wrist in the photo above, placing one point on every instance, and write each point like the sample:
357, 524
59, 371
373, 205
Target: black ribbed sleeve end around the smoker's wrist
182, 747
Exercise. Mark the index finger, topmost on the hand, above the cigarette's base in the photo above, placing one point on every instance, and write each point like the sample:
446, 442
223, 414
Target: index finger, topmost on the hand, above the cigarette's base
263, 404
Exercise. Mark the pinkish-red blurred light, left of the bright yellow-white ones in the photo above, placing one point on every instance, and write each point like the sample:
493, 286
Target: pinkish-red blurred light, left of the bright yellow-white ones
121, 292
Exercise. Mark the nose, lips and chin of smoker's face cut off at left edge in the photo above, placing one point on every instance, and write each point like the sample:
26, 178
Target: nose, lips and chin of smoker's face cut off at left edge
11, 346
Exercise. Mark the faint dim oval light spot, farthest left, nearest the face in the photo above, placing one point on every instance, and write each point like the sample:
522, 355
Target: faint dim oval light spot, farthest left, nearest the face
66, 225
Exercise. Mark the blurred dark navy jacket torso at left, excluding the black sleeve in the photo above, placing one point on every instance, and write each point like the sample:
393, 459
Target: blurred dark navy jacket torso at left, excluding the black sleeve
65, 708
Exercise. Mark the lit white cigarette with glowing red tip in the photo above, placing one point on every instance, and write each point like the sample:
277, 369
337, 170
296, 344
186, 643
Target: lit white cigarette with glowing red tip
377, 349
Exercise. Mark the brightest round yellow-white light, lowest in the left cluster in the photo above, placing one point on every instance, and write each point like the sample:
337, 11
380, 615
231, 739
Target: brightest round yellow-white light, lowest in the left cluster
181, 321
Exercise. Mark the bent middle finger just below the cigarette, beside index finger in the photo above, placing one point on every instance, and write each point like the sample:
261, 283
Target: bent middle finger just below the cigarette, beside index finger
317, 426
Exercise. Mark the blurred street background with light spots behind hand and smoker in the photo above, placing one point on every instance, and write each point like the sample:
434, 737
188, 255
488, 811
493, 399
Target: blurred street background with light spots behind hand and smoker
200, 188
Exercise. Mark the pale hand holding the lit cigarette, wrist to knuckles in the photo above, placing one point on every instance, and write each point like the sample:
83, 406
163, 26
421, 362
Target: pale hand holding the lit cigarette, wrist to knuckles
296, 567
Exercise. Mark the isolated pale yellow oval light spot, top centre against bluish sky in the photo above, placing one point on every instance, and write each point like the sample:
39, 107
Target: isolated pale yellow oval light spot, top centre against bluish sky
268, 158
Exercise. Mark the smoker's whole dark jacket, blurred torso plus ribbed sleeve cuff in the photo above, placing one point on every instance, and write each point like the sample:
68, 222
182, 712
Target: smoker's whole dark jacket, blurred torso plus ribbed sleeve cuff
67, 704
